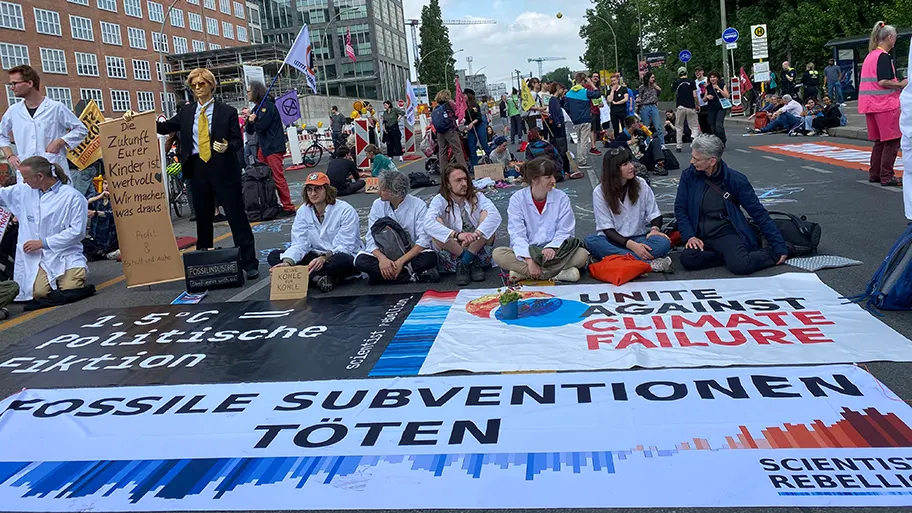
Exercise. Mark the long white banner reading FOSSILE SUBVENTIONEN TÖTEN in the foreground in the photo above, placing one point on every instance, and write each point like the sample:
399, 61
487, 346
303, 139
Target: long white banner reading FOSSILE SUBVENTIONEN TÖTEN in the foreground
789, 436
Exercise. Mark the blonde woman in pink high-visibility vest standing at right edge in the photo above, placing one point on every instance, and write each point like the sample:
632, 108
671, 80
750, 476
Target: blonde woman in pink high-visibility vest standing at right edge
878, 100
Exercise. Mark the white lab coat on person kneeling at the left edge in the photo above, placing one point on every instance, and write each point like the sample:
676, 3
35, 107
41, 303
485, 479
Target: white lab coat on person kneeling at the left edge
57, 217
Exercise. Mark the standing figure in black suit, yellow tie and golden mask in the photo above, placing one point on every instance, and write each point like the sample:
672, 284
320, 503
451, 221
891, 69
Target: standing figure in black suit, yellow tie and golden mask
210, 138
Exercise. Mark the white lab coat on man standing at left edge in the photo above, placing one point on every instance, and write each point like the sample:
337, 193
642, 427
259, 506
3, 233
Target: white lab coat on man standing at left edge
53, 120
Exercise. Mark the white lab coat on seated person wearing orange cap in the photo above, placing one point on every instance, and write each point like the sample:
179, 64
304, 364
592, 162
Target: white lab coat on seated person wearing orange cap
340, 231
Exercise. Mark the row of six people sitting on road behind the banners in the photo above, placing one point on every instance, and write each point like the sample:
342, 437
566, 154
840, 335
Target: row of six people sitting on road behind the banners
410, 241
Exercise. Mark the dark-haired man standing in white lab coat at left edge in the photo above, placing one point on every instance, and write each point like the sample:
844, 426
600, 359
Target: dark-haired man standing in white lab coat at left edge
38, 124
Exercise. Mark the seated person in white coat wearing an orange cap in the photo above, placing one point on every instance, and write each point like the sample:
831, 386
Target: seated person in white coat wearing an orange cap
325, 236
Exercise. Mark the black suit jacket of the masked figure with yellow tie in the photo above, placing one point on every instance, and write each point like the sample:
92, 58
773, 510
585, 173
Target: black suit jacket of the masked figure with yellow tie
223, 125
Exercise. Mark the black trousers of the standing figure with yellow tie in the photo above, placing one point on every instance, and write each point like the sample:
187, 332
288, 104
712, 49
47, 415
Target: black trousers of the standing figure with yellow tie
208, 186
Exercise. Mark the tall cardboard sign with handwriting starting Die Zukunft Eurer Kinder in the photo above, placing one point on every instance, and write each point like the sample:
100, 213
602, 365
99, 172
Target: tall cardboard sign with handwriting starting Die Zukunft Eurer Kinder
141, 215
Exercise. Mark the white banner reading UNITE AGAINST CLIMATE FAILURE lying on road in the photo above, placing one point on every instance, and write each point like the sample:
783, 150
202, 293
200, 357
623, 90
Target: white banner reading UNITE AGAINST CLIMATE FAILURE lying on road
786, 319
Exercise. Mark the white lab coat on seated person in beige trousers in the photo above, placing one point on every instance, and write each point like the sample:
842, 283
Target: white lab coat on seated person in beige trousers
527, 227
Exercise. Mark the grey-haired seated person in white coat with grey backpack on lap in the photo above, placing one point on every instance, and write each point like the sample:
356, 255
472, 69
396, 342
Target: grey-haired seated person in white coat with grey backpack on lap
387, 258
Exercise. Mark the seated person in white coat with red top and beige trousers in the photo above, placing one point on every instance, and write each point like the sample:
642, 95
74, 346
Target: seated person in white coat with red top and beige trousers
542, 226
